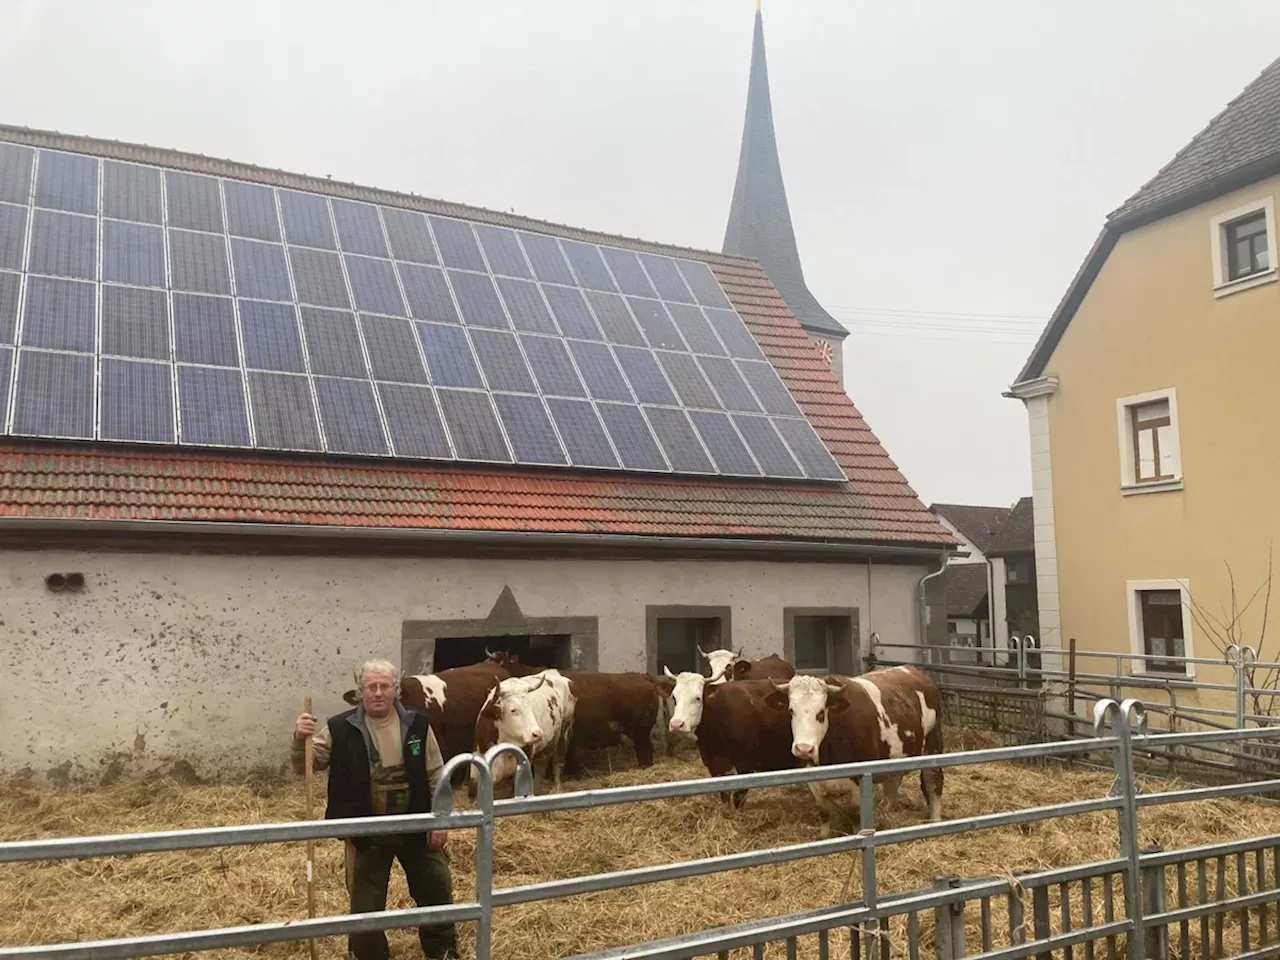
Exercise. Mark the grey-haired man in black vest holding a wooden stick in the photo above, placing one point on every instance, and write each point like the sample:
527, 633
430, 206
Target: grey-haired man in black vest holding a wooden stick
383, 760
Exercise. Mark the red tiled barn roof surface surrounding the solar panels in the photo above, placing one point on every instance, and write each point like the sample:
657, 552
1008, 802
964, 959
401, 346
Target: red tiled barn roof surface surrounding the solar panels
60, 481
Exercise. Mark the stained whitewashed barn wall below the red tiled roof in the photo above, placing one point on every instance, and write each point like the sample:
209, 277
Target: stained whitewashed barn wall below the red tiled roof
207, 659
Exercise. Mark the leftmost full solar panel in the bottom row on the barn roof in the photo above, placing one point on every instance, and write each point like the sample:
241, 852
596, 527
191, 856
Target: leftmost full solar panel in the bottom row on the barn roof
54, 396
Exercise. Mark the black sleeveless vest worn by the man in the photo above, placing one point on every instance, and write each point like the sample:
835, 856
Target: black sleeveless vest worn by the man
350, 781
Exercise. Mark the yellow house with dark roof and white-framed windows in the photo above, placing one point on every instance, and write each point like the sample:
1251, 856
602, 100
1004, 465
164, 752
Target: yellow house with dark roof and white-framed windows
1153, 399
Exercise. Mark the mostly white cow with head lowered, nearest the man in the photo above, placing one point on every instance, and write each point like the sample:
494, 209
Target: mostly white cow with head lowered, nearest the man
537, 715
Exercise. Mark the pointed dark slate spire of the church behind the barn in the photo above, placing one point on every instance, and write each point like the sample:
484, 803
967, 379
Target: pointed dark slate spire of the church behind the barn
760, 220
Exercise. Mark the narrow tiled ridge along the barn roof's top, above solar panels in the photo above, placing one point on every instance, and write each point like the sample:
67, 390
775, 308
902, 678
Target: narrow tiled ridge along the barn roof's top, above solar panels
239, 170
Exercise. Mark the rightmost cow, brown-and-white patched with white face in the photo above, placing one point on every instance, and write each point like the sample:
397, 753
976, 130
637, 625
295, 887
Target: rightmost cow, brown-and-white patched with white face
884, 715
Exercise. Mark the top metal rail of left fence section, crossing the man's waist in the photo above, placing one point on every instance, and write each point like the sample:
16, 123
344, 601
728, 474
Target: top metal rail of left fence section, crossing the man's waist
205, 838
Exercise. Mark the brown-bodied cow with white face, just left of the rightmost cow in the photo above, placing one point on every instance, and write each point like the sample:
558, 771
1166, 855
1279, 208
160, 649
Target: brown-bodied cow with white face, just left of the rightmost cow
737, 732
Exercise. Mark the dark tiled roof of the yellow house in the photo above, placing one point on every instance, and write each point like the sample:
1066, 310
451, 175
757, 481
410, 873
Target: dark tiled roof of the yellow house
1240, 147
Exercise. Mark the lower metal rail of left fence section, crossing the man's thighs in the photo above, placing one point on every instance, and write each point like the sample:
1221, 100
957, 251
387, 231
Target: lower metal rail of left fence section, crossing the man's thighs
162, 944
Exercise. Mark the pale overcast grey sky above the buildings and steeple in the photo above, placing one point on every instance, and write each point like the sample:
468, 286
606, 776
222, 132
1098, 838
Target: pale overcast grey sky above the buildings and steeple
948, 163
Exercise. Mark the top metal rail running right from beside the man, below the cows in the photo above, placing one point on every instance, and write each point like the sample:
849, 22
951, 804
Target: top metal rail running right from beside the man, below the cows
583, 799
